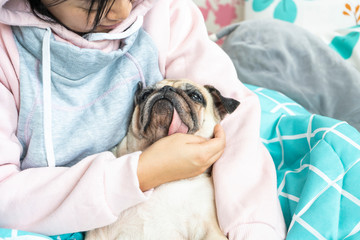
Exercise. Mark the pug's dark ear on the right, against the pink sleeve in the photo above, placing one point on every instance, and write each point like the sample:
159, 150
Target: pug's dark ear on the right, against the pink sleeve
223, 105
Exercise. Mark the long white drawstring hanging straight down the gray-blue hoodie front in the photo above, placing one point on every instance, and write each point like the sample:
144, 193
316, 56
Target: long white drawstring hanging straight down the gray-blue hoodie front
47, 121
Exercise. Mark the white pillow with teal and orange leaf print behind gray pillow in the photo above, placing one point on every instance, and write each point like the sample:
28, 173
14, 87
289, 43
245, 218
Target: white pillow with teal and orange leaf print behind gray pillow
335, 22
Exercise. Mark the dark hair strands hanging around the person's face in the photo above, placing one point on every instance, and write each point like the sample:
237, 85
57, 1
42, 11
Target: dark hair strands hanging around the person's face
41, 11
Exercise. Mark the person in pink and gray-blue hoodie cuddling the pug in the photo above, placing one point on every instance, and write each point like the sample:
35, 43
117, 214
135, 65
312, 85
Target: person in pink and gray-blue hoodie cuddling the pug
68, 73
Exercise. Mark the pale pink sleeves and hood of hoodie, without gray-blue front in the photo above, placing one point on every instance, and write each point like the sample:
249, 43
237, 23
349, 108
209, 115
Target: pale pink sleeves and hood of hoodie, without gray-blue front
93, 192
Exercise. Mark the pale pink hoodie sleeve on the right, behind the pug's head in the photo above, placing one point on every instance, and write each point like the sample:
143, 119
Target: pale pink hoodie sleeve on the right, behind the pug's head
244, 177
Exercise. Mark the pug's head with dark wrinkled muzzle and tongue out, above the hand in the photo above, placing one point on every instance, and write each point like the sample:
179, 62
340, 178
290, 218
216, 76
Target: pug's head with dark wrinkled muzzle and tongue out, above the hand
174, 106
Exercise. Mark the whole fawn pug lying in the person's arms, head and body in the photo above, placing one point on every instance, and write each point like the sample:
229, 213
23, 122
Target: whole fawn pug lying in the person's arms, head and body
179, 210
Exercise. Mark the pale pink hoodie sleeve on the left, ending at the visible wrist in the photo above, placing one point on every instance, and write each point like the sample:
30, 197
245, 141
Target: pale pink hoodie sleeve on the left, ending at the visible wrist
57, 200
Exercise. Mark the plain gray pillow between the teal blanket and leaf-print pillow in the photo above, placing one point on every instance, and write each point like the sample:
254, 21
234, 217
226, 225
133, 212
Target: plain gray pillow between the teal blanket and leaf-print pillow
284, 57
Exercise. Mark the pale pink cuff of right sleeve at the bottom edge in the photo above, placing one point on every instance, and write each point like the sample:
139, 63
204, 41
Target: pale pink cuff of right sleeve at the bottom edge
254, 231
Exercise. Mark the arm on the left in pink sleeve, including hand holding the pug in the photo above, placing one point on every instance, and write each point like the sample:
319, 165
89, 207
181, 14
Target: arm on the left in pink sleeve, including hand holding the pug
93, 192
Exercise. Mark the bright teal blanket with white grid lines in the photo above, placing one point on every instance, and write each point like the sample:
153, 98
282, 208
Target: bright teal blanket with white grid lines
318, 171
